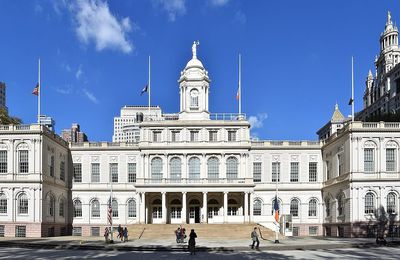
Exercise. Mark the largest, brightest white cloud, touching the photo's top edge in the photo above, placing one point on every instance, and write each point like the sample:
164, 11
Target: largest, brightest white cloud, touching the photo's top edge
96, 23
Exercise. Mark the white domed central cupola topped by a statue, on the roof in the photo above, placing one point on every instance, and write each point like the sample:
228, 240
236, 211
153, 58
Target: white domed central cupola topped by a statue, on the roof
194, 86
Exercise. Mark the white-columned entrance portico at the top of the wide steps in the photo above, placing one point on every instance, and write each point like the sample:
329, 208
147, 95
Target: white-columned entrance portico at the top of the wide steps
190, 207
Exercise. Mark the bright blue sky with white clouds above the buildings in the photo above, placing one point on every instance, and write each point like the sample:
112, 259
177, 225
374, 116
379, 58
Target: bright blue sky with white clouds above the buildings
296, 58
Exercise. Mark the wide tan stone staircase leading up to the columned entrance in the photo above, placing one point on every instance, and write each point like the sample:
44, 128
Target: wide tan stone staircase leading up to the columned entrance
204, 231
